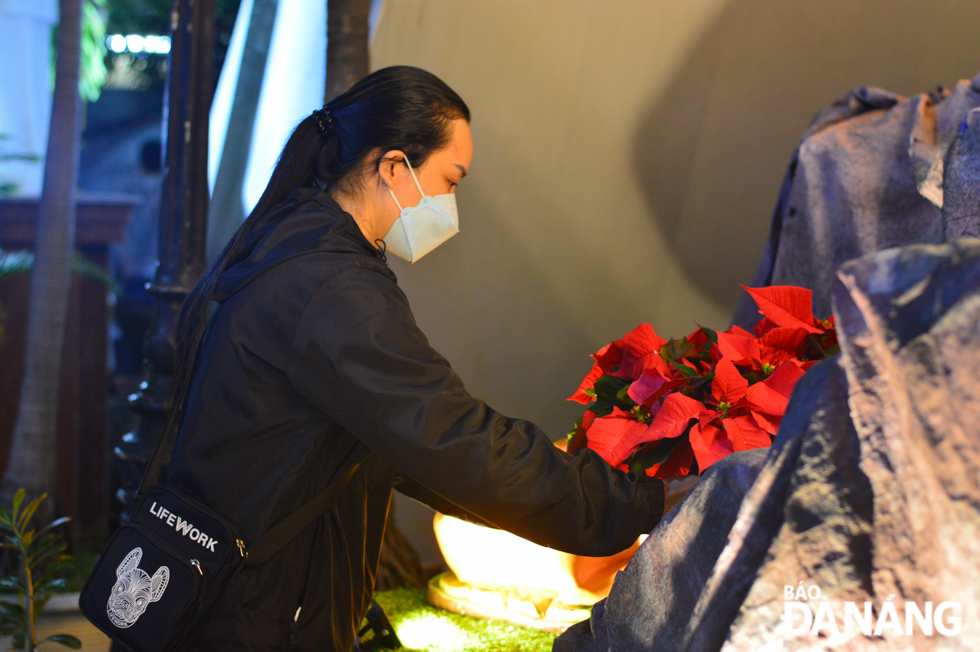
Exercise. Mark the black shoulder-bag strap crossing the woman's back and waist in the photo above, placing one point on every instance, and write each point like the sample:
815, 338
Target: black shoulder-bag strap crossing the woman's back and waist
272, 540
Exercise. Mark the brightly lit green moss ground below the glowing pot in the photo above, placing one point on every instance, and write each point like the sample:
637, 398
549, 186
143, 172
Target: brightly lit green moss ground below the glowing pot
424, 628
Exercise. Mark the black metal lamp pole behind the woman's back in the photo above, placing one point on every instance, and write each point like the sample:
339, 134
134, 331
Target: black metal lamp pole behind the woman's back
183, 224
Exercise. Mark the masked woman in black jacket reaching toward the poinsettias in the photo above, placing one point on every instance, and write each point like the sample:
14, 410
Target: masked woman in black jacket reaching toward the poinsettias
314, 359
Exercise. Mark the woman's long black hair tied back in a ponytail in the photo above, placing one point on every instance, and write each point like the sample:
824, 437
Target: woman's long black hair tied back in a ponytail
400, 107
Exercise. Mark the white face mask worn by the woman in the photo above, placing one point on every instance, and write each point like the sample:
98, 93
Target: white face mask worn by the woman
420, 229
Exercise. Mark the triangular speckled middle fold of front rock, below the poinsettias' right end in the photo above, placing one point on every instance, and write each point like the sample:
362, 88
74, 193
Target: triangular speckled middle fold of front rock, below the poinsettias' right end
816, 511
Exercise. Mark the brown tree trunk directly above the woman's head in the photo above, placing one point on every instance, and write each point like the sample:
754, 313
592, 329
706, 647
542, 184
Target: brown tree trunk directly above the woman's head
347, 34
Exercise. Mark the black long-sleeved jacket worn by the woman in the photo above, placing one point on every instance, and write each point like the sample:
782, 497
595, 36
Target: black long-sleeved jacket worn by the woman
312, 359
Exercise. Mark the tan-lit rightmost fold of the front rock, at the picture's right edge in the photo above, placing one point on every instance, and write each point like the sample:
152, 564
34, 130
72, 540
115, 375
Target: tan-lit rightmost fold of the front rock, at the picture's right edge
911, 335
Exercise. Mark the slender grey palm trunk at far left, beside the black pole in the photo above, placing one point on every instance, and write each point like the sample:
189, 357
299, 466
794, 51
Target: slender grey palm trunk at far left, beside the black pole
33, 456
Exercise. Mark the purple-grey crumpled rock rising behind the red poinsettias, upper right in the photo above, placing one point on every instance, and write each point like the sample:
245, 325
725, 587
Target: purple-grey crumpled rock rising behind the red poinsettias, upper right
868, 174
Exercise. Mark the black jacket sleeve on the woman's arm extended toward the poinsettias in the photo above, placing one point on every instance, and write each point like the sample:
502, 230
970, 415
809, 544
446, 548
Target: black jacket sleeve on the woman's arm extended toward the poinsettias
359, 356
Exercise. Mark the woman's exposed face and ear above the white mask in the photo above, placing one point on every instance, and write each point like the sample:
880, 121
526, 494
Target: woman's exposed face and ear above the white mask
440, 174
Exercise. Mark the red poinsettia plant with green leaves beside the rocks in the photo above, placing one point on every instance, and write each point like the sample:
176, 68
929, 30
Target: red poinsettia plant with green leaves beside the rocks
671, 408
